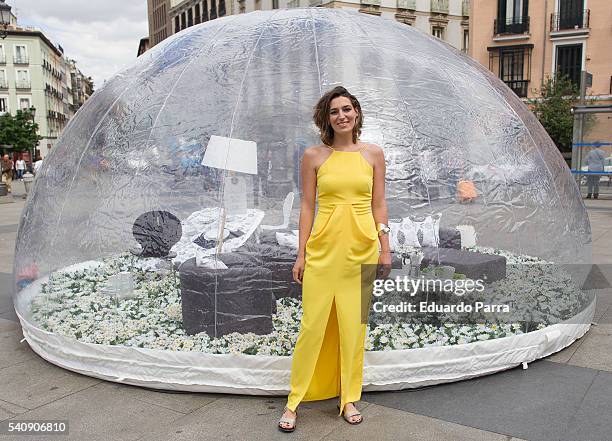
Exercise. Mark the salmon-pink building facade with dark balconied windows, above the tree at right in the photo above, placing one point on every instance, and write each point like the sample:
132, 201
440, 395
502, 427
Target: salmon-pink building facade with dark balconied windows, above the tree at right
525, 41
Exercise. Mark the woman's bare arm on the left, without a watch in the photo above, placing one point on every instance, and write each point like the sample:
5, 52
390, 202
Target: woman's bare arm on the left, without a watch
307, 205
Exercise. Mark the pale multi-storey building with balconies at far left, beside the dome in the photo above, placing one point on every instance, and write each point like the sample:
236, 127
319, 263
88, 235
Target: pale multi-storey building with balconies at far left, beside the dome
34, 73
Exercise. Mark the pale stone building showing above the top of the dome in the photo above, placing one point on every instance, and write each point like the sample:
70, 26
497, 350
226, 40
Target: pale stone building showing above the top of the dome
445, 19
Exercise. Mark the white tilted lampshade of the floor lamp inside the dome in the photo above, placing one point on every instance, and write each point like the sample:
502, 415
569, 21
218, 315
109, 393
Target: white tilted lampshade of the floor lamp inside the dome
231, 154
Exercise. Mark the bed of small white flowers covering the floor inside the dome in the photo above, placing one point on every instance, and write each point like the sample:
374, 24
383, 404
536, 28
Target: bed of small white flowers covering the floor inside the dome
72, 304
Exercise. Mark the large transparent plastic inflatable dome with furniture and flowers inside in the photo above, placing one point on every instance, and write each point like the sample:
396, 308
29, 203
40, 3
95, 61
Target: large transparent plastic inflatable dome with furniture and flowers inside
157, 244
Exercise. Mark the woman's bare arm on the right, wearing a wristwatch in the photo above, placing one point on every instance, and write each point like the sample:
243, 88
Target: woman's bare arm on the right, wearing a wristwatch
379, 203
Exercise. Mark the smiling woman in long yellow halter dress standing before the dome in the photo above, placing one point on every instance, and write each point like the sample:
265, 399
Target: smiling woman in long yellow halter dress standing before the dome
349, 177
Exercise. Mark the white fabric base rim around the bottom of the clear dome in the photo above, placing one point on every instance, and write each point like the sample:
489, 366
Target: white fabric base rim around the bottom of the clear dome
242, 373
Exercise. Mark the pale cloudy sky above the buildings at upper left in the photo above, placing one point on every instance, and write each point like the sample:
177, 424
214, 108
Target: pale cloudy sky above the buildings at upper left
101, 35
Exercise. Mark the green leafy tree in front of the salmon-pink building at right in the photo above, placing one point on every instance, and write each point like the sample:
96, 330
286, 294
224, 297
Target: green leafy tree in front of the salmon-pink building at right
553, 109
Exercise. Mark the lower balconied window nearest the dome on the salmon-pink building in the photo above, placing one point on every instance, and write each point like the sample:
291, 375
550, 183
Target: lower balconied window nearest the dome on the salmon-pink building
513, 66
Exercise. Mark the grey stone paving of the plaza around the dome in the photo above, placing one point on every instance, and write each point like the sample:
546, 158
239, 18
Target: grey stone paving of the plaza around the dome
568, 396
